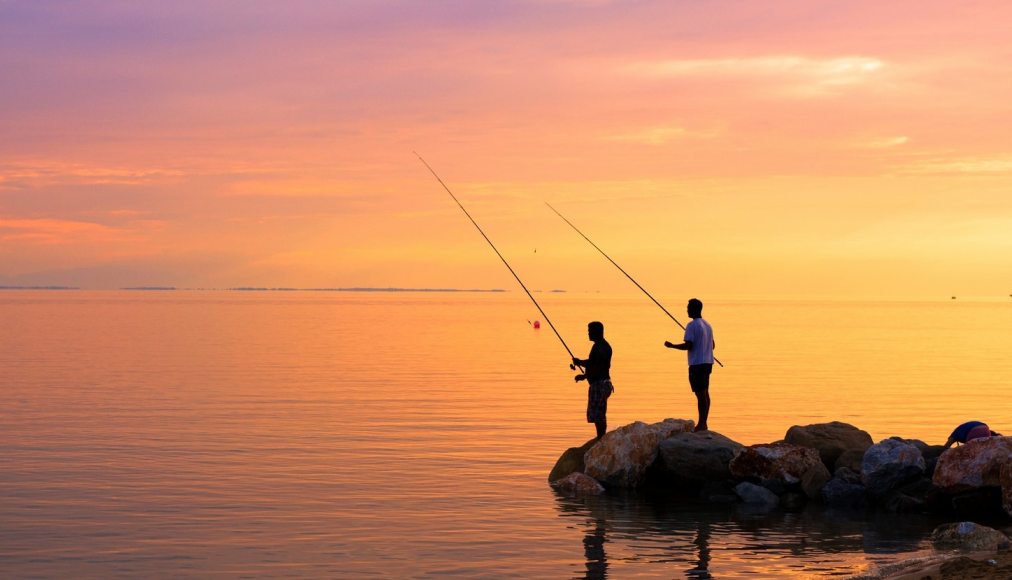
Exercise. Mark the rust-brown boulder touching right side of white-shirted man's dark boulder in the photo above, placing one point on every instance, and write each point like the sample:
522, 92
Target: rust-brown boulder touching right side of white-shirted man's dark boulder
782, 465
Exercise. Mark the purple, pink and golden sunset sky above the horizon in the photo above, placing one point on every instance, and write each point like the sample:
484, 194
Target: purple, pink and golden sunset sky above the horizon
712, 148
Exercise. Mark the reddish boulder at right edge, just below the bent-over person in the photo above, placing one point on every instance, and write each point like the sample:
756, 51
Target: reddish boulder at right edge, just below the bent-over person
973, 466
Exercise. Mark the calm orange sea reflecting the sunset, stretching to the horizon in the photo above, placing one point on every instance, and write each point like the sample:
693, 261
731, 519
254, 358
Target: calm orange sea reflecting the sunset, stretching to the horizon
357, 436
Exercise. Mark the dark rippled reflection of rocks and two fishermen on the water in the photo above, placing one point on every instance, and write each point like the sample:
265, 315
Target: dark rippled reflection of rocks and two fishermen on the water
650, 535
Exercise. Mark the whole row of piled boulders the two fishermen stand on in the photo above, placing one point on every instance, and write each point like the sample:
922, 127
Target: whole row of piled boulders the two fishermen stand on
834, 464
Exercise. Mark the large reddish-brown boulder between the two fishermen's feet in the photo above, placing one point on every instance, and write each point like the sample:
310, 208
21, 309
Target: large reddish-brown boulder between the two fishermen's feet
622, 457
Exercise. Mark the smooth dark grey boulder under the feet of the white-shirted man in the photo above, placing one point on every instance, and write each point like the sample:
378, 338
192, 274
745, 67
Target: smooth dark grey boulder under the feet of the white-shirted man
698, 458
